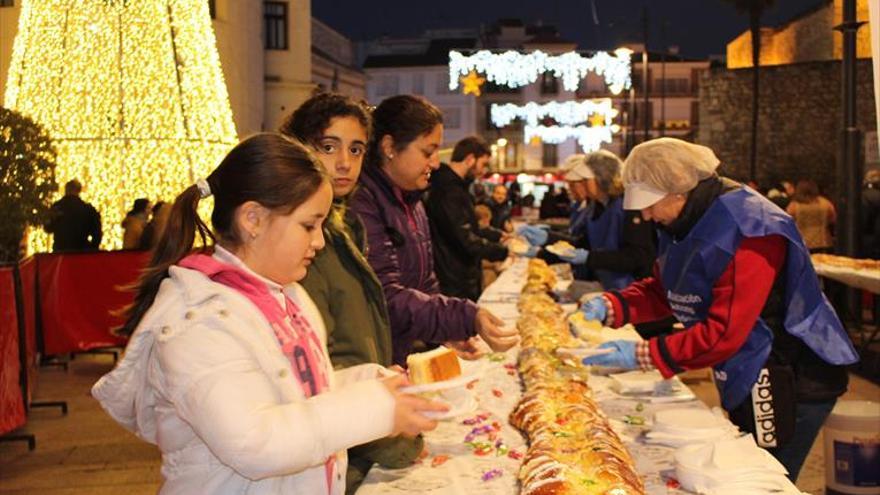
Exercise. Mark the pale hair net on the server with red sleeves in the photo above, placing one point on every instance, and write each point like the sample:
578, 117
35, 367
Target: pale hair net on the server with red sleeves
669, 165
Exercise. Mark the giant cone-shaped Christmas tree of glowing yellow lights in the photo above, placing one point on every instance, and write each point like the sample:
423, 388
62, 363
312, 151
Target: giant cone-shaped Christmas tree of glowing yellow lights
131, 92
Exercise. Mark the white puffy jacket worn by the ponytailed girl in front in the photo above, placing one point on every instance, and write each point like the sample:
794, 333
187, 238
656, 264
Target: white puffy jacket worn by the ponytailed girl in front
203, 377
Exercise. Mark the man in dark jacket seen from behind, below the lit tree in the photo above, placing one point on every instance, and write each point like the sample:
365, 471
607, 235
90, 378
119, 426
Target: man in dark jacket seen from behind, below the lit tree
76, 225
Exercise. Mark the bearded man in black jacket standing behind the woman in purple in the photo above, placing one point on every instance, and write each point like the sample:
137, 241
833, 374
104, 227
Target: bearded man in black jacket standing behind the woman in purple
458, 245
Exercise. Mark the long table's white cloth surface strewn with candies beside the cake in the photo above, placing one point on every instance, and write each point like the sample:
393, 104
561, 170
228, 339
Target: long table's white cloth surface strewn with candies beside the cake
497, 393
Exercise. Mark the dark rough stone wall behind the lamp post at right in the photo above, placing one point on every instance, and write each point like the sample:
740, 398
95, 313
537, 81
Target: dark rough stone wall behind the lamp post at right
799, 119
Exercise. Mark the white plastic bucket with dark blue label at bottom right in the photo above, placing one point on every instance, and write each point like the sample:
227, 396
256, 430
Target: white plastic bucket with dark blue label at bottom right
852, 448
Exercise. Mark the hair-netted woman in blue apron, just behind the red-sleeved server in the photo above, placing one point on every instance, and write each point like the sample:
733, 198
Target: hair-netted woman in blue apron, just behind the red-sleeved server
614, 246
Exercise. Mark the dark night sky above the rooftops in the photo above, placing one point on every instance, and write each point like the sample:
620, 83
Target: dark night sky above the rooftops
699, 27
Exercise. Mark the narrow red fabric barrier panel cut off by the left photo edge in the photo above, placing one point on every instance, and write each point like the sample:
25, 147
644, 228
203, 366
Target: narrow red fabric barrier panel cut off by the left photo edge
11, 403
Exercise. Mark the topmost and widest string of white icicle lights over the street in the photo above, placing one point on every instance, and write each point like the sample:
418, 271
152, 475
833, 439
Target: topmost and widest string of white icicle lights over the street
515, 69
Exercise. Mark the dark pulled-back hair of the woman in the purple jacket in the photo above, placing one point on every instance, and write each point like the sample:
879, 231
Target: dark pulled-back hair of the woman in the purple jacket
403, 117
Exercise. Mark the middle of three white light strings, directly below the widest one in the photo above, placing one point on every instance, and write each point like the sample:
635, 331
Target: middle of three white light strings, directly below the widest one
568, 113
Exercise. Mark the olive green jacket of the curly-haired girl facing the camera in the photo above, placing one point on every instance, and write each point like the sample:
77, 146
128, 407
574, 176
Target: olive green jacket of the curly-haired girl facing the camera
351, 301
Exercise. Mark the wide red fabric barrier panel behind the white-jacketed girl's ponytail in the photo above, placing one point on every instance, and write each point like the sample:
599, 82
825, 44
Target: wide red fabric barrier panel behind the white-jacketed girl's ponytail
78, 293
